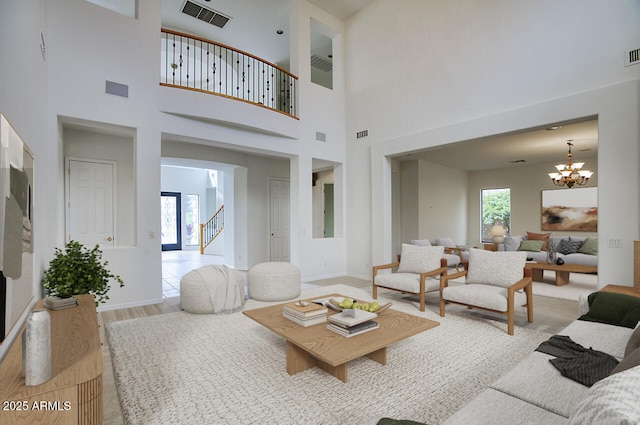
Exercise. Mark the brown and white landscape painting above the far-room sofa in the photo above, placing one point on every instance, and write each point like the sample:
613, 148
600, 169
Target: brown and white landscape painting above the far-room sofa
570, 209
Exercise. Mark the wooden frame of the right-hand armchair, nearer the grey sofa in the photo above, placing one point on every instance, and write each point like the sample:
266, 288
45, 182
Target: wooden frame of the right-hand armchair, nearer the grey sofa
525, 283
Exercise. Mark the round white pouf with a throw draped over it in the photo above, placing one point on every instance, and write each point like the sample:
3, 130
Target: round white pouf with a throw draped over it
212, 289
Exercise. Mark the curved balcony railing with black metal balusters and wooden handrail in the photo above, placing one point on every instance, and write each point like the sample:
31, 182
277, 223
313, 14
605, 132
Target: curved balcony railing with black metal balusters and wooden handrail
198, 64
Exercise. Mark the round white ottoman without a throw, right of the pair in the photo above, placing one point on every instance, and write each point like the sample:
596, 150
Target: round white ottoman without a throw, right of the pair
274, 281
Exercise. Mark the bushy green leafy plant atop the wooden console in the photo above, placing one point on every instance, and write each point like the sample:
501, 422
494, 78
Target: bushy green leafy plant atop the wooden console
79, 270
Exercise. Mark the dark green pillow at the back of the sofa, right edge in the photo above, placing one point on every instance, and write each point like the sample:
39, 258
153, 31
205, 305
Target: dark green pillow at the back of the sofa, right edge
613, 309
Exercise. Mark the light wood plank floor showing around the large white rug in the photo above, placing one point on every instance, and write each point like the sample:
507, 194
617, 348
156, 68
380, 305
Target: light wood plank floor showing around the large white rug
551, 316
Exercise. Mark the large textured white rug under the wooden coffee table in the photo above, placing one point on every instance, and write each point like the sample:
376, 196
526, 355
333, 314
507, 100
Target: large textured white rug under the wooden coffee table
181, 368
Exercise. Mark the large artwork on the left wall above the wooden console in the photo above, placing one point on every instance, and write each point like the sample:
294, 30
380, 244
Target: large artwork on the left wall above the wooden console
17, 286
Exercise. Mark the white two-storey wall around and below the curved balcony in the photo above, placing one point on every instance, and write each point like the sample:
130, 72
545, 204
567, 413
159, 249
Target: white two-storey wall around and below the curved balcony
85, 50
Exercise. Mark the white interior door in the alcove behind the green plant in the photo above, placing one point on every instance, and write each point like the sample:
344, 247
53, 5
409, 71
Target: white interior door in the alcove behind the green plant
90, 202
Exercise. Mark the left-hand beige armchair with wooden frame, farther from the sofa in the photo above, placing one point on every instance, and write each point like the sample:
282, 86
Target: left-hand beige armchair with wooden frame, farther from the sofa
419, 269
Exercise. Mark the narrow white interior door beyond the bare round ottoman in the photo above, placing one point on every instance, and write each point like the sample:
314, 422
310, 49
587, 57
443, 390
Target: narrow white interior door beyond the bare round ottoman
279, 217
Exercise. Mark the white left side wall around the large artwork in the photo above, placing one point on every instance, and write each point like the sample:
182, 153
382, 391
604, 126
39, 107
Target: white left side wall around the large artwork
21, 24
